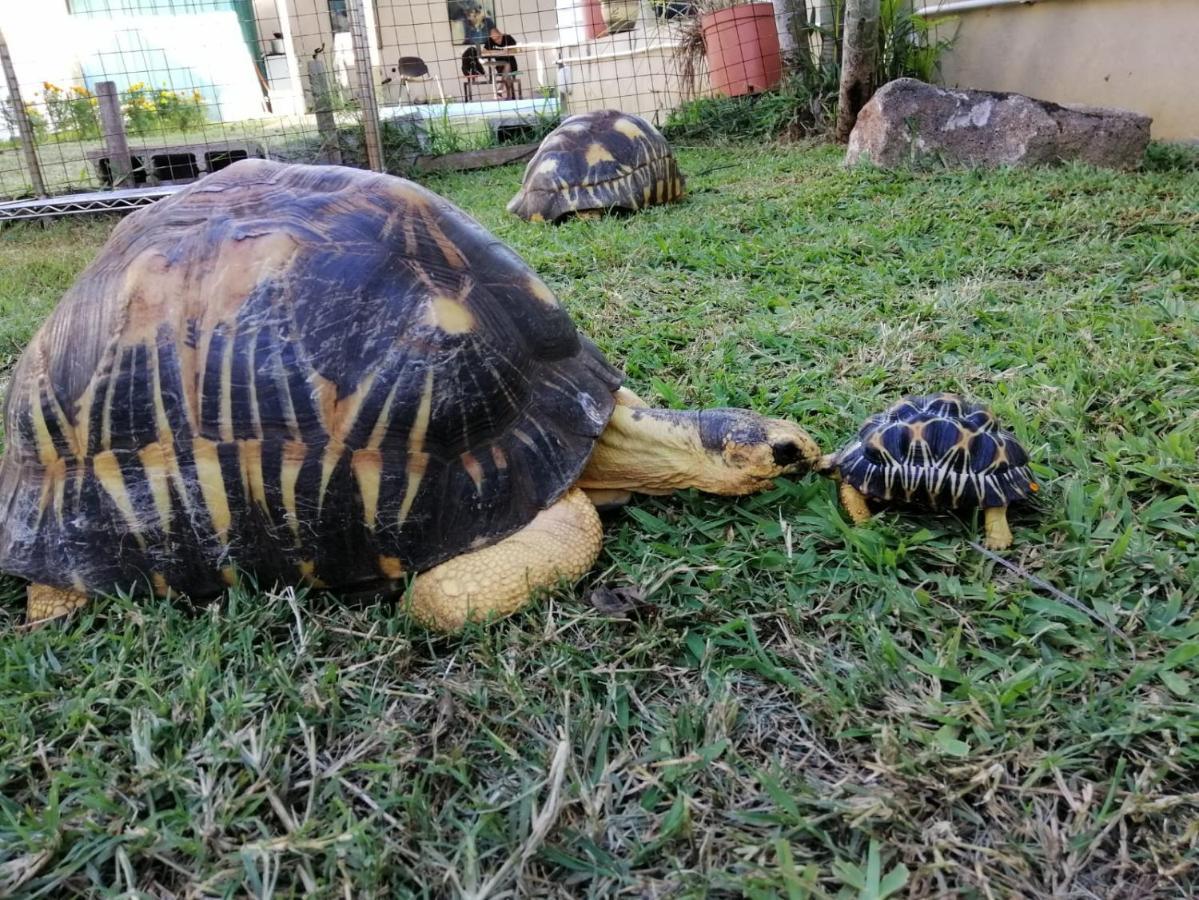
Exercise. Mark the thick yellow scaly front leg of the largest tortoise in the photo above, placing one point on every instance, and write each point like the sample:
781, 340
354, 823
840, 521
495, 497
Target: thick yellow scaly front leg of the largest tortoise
562, 542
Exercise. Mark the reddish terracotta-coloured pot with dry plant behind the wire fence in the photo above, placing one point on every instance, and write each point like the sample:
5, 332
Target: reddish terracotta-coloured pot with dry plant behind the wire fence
739, 41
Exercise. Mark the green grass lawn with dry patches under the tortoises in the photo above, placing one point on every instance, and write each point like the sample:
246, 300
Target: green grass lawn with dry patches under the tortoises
804, 709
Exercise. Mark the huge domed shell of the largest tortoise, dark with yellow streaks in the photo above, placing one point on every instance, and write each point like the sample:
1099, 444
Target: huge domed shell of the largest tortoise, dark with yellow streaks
309, 373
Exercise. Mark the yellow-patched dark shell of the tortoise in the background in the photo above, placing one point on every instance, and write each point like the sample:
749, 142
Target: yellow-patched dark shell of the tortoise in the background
597, 162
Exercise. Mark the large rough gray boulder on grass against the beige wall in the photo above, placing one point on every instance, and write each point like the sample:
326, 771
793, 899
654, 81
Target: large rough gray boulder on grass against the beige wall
911, 122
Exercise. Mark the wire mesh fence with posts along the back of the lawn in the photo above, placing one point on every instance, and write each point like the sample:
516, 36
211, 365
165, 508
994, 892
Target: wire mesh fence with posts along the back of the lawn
117, 95
